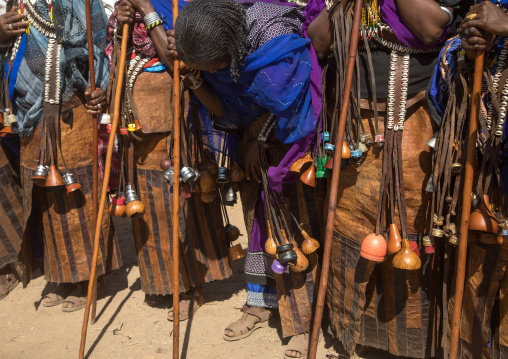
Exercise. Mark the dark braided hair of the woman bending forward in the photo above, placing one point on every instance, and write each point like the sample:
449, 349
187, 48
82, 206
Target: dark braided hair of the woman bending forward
210, 31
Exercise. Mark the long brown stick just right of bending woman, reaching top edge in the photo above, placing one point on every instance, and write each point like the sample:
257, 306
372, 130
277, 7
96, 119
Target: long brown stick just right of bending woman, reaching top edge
332, 204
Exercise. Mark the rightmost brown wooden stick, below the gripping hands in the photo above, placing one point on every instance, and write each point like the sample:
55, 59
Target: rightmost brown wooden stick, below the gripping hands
466, 204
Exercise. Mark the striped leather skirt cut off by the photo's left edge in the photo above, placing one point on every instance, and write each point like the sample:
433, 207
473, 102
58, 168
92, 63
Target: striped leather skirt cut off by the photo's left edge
11, 207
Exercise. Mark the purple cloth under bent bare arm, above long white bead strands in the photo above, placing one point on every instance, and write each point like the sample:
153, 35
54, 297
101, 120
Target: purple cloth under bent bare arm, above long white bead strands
391, 16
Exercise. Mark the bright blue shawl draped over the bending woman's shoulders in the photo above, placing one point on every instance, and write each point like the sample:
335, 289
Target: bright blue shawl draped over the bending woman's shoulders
275, 78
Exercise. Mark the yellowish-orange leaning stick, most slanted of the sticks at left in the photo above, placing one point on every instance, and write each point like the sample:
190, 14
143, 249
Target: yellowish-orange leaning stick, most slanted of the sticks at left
107, 173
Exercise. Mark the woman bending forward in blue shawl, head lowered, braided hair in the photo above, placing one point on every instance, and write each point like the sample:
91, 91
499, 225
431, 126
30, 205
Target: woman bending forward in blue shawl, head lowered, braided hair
254, 61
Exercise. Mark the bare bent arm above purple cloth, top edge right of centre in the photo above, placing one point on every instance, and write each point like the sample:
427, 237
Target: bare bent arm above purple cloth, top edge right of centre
424, 18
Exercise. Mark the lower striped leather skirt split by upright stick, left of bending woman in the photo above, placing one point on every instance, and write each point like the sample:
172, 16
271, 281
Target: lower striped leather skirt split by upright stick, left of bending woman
203, 250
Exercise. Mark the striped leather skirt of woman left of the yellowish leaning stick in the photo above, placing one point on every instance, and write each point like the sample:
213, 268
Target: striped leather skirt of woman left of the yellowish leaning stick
68, 223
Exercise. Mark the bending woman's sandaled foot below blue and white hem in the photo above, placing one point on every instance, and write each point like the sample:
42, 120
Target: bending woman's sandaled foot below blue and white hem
253, 318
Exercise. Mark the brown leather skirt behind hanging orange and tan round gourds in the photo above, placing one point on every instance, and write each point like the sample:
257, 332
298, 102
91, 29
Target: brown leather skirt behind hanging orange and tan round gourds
374, 304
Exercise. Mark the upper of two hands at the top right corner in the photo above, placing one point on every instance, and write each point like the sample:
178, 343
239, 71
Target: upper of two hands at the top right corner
485, 16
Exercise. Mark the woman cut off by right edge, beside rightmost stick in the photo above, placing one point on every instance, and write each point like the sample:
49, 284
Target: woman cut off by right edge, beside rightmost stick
484, 320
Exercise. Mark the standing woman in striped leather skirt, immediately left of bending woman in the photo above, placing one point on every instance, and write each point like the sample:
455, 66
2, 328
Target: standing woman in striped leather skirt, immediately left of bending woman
204, 252
